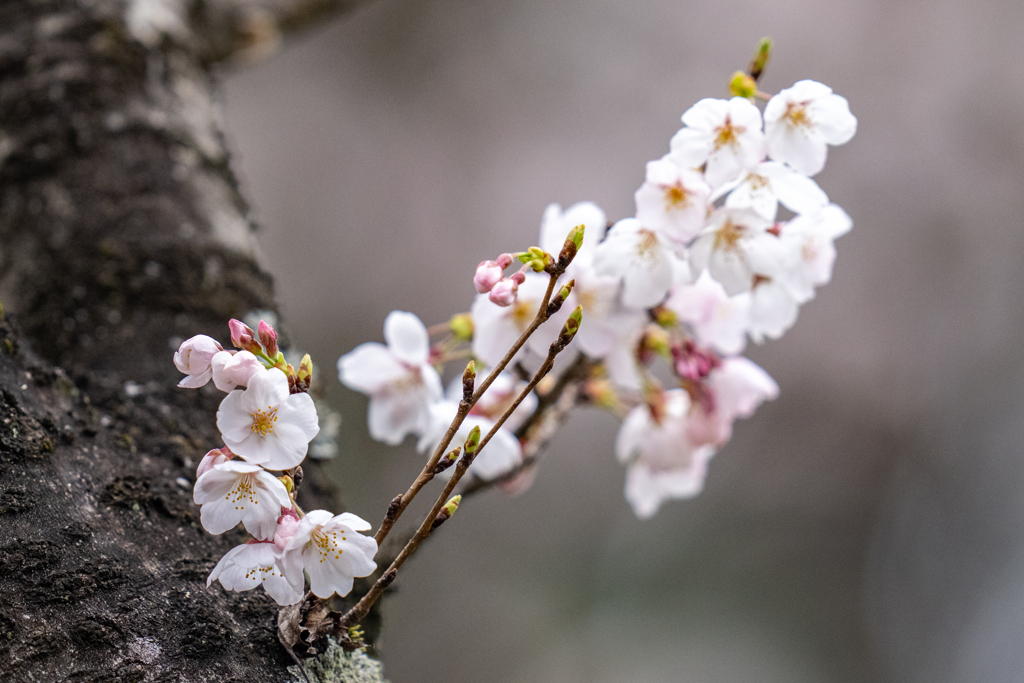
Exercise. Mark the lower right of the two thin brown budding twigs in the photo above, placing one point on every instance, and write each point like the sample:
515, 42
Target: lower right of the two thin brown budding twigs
363, 607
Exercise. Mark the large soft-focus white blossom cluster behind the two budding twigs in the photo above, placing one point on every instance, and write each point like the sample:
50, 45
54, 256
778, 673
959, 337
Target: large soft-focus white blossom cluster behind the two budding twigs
709, 262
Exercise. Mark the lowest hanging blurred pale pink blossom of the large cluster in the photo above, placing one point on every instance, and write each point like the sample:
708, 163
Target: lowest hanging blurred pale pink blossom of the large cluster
663, 461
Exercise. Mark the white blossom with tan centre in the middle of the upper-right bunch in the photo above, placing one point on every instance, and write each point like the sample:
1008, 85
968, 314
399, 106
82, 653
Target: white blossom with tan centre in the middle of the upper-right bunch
735, 247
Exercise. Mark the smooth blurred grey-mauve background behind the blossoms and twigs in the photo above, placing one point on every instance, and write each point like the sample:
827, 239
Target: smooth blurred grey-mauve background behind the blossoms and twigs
868, 526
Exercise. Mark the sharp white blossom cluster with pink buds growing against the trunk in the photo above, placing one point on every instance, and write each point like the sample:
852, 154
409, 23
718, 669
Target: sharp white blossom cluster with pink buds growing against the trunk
267, 422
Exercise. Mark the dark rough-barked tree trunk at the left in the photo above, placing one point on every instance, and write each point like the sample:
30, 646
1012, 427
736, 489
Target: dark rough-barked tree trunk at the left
121, 230
